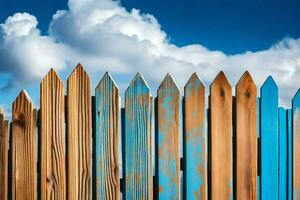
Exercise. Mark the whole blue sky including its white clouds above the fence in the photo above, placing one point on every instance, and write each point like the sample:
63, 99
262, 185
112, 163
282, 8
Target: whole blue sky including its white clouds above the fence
178, 36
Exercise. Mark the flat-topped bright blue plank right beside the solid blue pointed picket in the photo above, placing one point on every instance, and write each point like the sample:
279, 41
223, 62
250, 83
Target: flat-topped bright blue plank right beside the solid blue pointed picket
282, 154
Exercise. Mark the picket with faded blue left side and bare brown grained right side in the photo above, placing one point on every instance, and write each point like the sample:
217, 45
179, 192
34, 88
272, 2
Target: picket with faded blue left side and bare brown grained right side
107, 132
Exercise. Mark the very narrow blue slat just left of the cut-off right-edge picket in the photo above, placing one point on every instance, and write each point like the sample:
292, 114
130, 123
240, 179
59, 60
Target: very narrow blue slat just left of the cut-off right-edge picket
290, 154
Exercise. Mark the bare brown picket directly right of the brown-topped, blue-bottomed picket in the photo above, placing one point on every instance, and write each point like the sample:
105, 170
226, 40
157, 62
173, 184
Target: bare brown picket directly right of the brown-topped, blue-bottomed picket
221, 138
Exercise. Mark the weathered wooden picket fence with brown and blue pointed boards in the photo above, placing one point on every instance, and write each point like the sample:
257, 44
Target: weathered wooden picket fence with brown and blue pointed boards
241, 147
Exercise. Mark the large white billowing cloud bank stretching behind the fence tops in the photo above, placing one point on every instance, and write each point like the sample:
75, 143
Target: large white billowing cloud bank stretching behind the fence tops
104, 36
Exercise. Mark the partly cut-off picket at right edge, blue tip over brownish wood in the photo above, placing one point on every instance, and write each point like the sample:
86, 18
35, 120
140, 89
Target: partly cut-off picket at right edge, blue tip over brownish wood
296, 145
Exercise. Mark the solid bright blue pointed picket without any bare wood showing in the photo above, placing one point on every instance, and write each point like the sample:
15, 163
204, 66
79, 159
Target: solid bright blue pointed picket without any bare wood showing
269, 140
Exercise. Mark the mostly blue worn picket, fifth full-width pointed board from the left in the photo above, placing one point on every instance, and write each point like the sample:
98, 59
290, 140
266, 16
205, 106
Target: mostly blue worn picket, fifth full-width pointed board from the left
137, 167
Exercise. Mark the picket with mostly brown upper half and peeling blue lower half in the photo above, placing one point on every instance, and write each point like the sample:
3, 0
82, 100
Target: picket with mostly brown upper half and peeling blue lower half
195, 139
